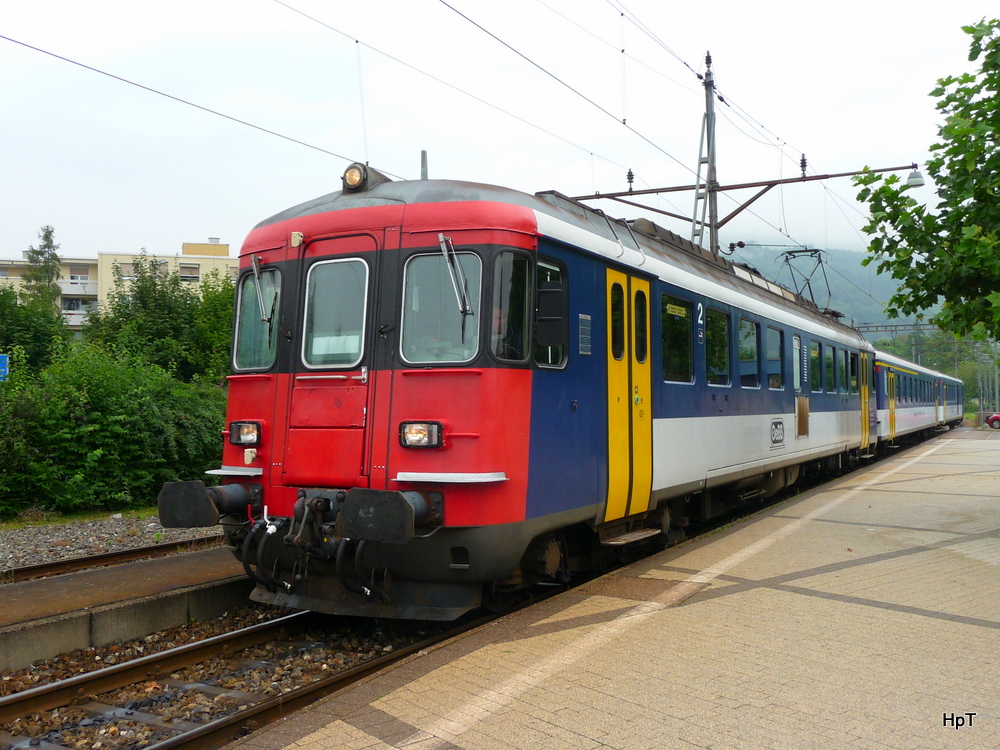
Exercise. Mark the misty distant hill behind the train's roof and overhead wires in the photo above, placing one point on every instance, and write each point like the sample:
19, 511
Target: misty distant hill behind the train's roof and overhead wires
854, 290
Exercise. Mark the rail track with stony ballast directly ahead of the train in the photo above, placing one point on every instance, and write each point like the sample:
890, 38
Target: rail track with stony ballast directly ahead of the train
99, 707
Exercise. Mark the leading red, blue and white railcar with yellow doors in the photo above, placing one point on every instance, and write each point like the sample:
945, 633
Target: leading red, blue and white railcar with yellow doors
442, 392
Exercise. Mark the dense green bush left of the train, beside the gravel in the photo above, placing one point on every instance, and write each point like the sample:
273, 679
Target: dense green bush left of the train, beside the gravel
99, 430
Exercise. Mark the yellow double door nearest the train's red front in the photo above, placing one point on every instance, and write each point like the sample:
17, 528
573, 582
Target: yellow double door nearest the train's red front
629, 380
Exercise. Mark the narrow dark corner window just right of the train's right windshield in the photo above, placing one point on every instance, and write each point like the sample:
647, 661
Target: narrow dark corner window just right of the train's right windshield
509, 317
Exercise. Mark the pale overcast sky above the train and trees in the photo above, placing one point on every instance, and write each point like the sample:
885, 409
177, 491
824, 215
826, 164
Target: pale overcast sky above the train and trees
262, 104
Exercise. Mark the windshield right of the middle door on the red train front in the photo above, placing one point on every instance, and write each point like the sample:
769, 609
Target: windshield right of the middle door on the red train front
435, 328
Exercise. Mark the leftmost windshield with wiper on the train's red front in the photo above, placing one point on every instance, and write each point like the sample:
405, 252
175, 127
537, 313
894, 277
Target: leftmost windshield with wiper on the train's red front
258, 306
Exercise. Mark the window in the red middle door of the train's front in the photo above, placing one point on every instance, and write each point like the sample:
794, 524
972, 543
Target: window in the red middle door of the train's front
336, 300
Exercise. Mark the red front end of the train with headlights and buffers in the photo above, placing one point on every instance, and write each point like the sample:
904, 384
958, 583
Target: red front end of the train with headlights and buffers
376, 458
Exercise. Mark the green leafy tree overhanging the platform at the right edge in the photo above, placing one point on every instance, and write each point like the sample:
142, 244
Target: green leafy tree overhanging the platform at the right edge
949, 255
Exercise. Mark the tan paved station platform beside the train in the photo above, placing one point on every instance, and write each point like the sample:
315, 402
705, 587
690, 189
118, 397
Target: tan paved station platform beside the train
864, 614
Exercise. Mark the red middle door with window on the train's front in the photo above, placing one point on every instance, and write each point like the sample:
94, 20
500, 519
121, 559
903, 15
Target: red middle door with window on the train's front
329, 390
